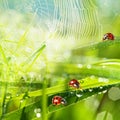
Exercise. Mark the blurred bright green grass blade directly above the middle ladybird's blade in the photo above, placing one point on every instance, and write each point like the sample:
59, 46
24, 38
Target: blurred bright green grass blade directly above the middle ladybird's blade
107, 68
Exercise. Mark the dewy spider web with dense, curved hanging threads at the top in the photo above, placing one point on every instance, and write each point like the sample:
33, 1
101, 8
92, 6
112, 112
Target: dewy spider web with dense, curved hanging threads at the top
68, 18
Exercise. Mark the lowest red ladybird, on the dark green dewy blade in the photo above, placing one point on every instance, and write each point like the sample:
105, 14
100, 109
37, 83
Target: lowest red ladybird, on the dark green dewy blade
58, 100
